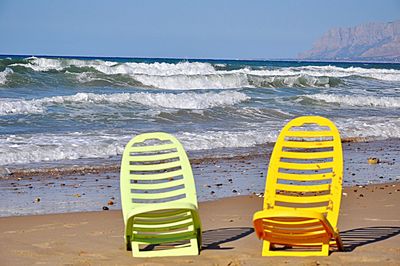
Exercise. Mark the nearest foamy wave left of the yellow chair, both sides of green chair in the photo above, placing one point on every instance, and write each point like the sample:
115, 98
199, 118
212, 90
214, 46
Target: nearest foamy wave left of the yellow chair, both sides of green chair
78, 145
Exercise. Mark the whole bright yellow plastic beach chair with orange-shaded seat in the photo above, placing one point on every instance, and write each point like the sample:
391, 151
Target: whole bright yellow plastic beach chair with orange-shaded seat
303, 191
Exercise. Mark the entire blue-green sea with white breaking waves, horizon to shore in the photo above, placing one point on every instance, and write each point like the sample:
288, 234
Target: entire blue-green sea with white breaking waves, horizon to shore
57, 110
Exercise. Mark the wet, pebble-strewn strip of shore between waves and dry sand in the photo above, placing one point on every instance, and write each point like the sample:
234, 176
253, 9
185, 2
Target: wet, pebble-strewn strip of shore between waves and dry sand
91, 189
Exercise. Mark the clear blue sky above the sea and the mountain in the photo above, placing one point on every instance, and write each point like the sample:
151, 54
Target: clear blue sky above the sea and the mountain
184, 28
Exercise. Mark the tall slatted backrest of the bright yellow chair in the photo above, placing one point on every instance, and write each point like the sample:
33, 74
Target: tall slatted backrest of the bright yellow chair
306, 168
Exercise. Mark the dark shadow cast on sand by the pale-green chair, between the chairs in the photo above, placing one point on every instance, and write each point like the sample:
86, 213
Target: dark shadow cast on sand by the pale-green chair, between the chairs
212, 239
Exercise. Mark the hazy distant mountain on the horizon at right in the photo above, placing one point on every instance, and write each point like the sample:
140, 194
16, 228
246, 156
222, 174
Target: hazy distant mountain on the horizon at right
370, 41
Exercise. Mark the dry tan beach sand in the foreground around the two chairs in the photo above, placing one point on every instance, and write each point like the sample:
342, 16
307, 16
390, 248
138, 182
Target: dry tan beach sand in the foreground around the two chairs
369, 223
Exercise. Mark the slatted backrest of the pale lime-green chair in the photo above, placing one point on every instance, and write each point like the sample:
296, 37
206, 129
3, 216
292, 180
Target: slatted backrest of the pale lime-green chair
155, 170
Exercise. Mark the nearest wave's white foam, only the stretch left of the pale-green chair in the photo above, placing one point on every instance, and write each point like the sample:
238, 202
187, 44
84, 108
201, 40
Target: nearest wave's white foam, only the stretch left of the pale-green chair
52, 147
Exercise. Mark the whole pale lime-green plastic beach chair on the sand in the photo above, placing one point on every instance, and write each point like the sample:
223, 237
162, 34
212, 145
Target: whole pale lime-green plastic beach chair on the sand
158, 196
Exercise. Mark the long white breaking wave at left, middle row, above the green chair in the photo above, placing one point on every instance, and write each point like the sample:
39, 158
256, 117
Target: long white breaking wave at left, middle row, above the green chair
183, 100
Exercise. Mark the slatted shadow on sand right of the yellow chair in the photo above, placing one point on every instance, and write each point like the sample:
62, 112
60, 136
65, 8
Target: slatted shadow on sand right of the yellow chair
362, 236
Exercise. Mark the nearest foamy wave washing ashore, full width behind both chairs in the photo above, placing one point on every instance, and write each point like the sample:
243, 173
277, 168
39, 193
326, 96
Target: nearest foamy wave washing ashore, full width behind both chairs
28, 148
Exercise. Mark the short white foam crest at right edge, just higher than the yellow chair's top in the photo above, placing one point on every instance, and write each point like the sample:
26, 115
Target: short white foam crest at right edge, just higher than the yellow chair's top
355, 100
